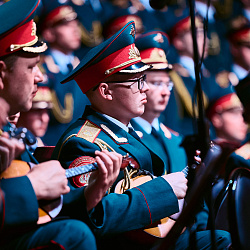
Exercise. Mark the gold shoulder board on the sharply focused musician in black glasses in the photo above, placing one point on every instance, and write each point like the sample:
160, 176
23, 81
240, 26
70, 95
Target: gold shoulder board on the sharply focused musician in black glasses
88, 131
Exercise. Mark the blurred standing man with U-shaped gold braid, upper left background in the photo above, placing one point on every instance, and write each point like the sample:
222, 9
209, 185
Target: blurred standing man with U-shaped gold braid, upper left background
60, 28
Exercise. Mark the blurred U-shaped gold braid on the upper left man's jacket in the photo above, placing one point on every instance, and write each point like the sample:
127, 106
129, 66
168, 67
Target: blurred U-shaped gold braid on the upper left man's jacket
63, 115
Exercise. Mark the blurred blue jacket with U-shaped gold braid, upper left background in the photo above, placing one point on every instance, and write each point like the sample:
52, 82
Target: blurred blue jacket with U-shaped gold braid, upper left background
67, 99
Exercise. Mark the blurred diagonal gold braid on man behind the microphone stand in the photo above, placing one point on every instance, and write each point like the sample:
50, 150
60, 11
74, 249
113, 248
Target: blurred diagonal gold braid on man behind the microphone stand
185, 95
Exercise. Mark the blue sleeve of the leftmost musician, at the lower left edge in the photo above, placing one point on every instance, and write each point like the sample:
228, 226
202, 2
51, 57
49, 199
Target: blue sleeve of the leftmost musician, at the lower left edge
19, 204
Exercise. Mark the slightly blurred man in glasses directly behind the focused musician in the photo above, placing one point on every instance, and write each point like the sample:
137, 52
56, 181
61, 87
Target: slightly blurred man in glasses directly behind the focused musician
153, 47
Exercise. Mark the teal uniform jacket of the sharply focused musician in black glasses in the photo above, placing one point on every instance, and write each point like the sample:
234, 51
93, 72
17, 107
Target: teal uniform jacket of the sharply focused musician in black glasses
138, 206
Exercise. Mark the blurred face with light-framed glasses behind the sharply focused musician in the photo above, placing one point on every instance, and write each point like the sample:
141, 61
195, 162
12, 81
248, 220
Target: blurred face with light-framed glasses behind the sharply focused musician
159, 92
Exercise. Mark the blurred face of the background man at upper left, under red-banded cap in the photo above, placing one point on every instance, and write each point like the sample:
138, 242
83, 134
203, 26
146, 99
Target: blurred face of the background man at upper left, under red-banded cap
67, 36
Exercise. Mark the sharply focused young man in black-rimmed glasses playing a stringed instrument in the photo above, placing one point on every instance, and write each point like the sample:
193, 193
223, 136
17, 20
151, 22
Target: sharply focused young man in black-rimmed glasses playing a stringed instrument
113, 77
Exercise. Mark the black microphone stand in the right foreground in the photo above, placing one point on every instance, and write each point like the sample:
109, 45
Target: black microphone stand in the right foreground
202, 142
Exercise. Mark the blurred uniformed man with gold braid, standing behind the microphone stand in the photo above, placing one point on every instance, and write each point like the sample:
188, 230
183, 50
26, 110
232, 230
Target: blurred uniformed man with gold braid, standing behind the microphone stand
182, 110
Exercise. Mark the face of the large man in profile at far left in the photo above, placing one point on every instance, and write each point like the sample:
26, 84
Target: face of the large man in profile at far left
20, 82
